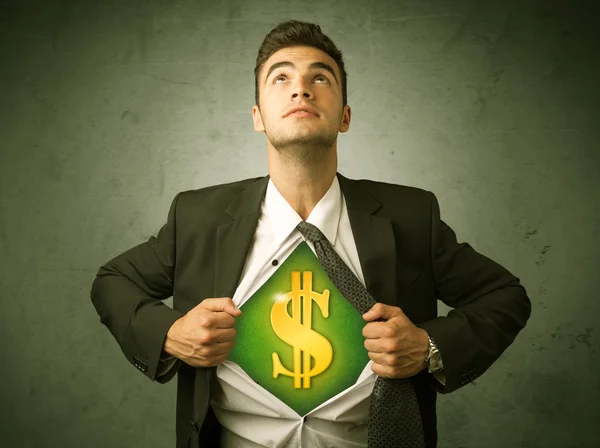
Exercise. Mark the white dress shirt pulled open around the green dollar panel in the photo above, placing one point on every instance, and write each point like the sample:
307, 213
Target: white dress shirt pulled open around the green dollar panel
250, 415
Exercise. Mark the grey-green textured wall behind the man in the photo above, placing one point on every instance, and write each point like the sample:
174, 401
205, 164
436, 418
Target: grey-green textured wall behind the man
108, 109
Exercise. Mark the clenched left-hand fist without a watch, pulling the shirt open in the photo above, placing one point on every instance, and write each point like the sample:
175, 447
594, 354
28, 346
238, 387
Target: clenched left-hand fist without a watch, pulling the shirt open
204, 336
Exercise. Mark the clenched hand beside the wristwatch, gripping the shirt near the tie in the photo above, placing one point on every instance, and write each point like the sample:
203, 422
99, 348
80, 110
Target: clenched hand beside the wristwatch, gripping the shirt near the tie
397, 347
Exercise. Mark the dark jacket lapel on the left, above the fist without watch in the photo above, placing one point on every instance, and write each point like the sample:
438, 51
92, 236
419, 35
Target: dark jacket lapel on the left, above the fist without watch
233, 238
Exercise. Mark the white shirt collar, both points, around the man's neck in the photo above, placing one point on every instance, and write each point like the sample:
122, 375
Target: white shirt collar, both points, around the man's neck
283, 219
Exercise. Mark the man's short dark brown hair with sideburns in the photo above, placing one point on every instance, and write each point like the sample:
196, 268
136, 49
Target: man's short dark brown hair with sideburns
294, 34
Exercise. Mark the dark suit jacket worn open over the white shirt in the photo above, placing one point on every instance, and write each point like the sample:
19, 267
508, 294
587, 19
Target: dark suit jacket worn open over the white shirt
409, 257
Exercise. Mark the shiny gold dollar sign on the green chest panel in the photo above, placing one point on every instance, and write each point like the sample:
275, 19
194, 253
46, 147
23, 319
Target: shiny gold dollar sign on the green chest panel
296, 330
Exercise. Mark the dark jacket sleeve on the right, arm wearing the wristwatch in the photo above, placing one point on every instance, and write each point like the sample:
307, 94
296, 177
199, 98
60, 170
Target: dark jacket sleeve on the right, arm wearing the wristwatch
490, 307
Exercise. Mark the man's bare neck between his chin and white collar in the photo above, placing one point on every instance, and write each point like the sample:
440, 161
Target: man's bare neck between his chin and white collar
302, 185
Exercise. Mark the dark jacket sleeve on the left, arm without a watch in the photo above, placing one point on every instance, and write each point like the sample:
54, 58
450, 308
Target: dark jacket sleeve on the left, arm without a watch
128, 294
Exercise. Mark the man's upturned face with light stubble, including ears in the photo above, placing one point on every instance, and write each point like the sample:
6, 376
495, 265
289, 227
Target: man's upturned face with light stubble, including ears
307, 77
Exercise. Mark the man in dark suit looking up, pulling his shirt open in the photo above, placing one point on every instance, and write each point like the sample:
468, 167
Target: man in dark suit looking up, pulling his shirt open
221, 243
